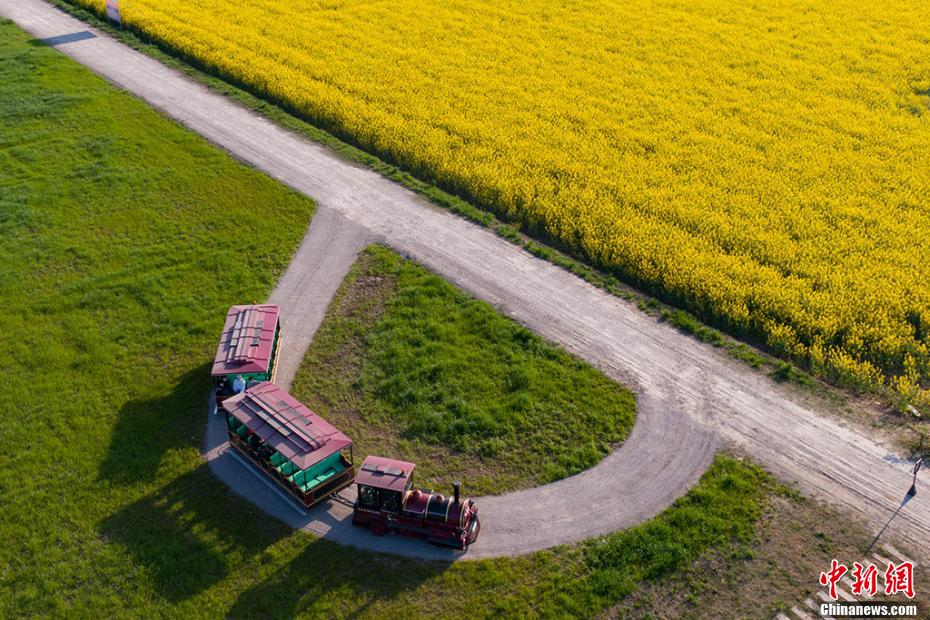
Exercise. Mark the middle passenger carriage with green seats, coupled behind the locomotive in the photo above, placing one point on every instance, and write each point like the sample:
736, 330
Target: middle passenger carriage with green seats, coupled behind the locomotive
300, 451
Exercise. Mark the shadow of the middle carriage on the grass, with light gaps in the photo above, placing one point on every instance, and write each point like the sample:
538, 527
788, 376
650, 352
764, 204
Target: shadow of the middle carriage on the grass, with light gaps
191, 533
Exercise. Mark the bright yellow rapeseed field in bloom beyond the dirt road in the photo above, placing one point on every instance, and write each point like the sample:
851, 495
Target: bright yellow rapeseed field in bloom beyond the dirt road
764, 164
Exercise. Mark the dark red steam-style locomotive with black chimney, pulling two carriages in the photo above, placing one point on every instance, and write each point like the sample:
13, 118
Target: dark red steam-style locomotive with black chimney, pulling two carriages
387, 503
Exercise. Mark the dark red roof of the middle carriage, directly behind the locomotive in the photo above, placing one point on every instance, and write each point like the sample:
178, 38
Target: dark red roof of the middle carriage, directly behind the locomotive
286, 425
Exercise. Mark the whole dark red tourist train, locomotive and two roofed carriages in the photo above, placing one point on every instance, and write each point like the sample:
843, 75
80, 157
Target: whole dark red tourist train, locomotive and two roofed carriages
312, 461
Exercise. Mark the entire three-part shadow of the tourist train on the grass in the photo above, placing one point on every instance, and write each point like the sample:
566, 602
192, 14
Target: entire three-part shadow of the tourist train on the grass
192, 532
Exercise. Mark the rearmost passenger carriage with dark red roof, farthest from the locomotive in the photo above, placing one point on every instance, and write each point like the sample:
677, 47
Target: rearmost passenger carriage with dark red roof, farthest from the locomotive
248, 351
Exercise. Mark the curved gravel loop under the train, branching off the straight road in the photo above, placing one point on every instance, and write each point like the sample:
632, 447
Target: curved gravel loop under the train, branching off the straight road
663, 457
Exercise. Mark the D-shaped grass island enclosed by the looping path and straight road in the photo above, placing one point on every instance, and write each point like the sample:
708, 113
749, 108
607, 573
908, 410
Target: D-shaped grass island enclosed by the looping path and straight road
413, 368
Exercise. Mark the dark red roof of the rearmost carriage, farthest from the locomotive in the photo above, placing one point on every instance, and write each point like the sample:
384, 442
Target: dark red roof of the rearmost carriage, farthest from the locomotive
246, 344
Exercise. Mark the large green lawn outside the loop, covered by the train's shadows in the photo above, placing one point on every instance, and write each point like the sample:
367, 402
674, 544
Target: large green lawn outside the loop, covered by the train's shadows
121, 246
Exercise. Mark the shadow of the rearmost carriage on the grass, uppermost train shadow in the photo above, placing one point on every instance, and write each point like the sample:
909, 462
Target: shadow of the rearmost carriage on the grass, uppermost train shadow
147, 429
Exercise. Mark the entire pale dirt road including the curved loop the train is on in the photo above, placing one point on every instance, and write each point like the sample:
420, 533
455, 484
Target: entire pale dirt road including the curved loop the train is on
691, 399
